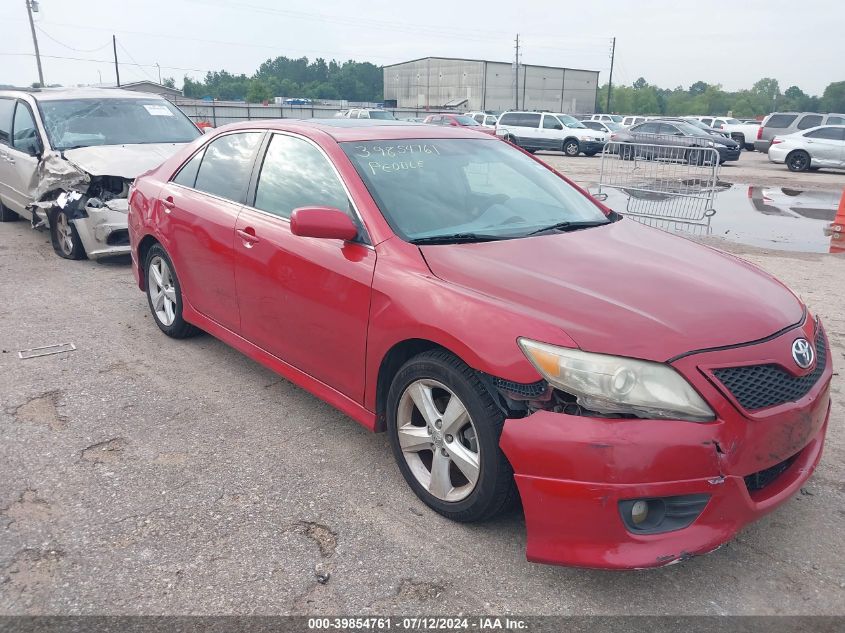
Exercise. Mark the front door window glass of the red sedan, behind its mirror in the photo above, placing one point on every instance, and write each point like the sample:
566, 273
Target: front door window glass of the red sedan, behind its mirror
296, 174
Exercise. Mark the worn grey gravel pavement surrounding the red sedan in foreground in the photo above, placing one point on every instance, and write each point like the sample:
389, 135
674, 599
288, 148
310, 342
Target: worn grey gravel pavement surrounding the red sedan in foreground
142, 475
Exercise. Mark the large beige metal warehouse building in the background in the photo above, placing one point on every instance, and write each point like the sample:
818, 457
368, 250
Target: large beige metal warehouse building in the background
475, 84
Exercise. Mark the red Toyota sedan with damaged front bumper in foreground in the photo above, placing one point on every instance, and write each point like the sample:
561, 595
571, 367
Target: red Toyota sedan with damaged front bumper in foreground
646, 397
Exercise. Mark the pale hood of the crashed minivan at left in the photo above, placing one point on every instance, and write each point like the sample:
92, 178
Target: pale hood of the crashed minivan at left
125, 161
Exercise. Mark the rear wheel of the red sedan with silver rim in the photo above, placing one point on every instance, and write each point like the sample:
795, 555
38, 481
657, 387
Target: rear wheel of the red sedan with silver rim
164, 294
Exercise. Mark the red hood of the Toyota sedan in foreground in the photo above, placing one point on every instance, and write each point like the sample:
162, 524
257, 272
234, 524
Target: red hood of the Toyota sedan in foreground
625, 289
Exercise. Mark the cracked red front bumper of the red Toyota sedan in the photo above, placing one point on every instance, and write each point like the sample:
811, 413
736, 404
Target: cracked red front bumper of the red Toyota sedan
572, 471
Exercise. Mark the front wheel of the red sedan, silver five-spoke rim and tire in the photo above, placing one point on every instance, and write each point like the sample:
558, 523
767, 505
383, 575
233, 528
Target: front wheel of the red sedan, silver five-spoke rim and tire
444, 430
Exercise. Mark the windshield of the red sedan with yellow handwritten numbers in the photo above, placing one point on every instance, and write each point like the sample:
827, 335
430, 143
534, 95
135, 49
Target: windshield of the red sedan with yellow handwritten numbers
439, 187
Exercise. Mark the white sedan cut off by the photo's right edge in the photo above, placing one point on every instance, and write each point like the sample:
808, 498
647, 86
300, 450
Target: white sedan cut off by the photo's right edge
812, 149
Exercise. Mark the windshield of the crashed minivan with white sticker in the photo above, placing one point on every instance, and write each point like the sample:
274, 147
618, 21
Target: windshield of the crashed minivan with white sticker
85, 122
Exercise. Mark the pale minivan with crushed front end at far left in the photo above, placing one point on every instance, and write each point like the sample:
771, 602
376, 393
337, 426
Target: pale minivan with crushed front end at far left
68, 156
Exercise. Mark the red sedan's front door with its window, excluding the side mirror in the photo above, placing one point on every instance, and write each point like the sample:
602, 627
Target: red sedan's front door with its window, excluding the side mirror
303, 300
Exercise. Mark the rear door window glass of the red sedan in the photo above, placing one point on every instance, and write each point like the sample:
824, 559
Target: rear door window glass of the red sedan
226, 166
